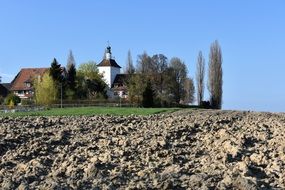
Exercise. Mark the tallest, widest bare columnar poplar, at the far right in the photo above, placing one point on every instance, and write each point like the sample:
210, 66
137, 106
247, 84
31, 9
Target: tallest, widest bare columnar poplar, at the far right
215, 78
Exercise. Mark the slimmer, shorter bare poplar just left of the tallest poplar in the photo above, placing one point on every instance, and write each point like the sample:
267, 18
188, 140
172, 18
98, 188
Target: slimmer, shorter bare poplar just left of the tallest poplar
200, 74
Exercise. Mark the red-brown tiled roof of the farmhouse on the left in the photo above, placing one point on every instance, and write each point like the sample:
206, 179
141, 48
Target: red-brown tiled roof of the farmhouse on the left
26, 75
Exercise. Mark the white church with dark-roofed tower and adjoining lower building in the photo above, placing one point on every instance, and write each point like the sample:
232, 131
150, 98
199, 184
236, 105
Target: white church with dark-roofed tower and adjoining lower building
111, 72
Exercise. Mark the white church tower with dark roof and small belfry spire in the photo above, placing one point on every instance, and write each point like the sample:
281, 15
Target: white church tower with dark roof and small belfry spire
109, 67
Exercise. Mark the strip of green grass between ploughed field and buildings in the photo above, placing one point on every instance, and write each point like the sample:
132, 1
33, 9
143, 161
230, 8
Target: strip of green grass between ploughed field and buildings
93, 111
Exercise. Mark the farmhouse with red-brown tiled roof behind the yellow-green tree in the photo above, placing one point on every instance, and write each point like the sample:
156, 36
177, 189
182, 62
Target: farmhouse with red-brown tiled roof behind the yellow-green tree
22, 85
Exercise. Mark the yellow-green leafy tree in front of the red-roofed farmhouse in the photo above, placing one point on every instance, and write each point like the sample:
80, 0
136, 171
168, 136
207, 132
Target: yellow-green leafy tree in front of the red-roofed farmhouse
45, 90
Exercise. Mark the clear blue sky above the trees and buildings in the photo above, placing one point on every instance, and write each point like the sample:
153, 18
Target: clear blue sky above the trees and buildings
251, 35
